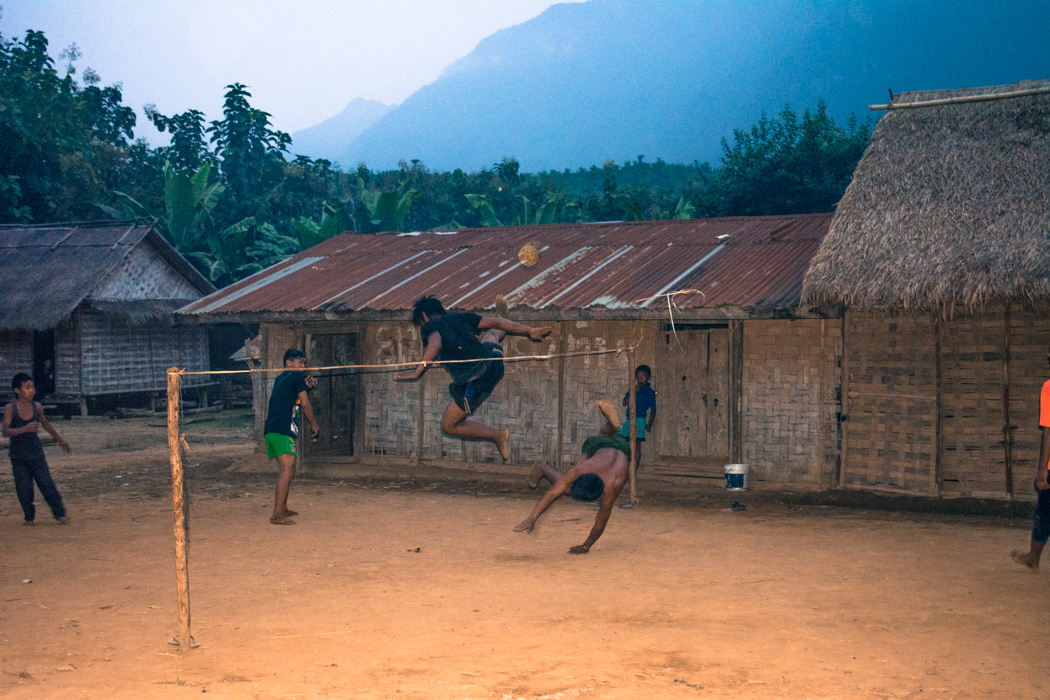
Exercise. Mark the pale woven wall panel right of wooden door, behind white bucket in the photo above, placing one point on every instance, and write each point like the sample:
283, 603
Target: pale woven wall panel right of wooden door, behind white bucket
791, 377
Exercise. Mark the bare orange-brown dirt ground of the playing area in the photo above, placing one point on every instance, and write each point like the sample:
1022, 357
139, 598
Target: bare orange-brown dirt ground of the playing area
387, 590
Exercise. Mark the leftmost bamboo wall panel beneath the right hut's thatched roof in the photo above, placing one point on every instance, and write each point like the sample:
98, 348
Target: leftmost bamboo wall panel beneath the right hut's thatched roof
891, 434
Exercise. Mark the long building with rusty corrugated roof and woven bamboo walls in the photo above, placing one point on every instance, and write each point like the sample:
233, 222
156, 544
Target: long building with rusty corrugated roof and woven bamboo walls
743, 373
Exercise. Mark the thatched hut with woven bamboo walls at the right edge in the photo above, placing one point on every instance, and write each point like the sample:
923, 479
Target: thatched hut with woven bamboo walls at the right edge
940, 252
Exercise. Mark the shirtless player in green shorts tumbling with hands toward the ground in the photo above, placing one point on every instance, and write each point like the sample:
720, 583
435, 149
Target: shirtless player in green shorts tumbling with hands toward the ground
600, 477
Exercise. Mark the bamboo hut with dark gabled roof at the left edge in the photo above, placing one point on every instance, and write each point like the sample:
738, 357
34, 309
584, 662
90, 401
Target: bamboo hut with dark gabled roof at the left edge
97, 300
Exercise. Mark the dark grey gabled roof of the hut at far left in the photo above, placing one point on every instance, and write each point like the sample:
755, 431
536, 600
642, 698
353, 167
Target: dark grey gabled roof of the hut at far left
49, 270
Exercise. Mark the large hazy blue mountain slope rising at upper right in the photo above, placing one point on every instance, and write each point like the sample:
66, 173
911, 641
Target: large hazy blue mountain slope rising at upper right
618, 79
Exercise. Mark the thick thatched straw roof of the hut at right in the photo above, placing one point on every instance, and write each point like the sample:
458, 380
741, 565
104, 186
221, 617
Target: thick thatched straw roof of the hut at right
949, 208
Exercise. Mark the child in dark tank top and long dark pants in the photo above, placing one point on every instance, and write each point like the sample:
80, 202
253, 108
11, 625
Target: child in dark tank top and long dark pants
22, 421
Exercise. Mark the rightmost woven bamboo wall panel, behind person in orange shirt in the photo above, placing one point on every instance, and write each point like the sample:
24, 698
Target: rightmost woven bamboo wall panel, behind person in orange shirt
1030, 342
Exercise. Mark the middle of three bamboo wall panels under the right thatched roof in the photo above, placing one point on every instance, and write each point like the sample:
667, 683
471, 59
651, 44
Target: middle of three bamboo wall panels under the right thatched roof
973, 369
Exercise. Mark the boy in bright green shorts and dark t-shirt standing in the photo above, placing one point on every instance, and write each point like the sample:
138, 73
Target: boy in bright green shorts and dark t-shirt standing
288, 398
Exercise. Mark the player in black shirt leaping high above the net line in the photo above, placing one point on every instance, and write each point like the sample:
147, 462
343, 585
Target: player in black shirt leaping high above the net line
455, 337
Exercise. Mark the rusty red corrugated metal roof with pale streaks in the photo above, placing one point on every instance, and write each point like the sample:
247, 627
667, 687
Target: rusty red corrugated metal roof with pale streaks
742, 262
